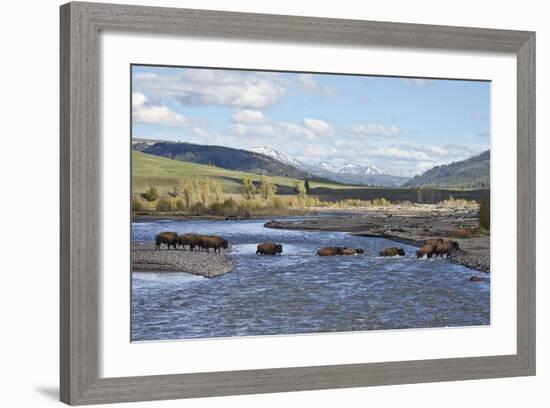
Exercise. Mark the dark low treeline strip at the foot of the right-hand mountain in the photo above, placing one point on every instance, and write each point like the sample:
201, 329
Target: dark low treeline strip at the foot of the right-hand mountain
423, 196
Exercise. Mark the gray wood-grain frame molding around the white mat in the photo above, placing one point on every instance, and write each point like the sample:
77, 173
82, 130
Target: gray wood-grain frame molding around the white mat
80, 234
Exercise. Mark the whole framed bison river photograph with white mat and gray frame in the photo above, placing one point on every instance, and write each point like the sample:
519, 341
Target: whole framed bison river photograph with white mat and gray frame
261, 203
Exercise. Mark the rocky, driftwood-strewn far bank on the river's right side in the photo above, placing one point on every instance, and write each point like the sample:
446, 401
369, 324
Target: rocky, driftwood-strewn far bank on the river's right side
409, 226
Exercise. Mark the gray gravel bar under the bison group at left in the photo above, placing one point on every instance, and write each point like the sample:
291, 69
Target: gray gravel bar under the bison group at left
208, 264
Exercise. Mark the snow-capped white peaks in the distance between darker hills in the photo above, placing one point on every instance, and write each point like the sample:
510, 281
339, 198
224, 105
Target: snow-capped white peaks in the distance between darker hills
344, 173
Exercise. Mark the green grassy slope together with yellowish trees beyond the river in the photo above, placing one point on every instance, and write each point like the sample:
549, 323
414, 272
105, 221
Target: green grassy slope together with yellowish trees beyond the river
163, 186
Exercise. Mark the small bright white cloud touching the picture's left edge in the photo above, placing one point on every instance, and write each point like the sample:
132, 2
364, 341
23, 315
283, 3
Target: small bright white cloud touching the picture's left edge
145, 112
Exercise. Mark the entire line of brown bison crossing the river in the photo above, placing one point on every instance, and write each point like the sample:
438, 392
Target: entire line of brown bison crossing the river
431, 248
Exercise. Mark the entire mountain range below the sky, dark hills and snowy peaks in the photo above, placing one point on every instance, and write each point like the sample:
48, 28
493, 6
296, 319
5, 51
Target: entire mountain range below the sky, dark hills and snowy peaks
469, 173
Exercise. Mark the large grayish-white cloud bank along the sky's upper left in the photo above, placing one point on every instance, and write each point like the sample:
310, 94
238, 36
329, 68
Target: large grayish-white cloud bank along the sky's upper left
201, 87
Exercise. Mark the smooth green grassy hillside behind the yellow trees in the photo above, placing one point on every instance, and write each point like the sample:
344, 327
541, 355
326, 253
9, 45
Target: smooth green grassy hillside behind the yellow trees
149, 170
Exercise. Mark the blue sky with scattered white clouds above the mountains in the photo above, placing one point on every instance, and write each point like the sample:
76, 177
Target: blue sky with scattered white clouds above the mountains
406, 125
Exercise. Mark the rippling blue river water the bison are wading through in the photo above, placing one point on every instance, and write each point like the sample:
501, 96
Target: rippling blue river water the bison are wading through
299, 292
